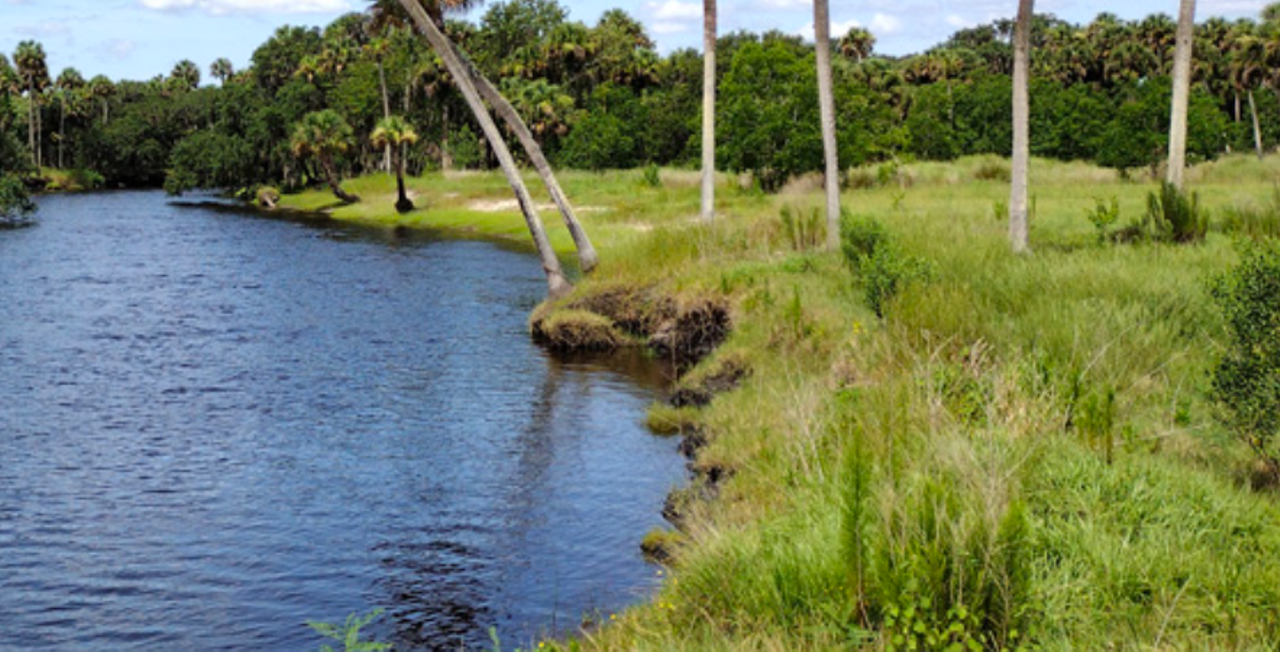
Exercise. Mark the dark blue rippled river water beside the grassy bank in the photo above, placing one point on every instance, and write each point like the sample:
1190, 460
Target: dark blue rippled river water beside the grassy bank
218, 427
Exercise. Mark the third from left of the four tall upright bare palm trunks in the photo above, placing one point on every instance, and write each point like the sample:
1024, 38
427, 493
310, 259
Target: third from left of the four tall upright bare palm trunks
1018, 217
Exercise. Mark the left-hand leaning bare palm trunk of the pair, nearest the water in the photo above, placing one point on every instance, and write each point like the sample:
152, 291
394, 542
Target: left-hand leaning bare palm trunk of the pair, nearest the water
557, 285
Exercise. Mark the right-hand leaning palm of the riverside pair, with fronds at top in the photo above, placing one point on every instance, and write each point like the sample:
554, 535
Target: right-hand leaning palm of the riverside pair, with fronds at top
433, 12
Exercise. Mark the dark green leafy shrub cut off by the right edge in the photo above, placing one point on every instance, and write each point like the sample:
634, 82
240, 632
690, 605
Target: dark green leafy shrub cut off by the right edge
1247, 379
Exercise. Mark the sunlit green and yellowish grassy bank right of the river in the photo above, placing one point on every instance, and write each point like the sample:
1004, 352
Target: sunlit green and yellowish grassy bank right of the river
1020, 453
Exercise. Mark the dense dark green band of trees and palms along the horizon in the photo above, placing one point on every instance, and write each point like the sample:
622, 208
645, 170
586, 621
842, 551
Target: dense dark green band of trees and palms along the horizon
600, 97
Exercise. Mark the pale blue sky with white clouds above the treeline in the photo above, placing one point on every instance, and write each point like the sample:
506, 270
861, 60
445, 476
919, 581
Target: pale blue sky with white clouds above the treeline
140, 39
